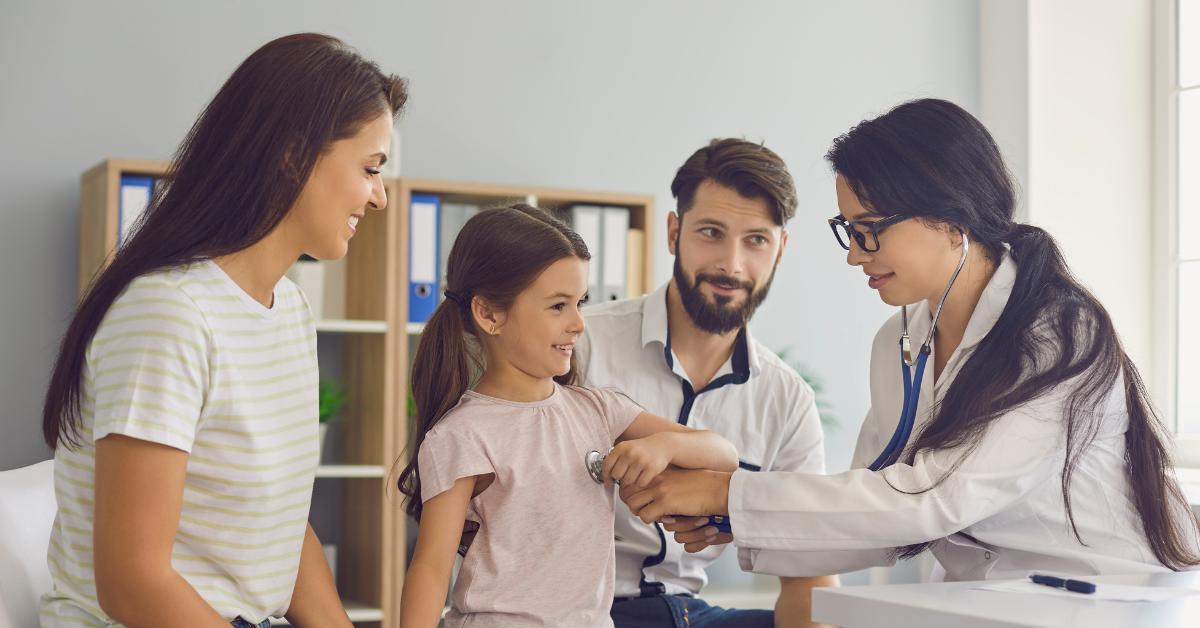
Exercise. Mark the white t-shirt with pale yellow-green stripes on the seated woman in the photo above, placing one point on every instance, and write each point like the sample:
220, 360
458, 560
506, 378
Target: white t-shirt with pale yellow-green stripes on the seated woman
185, 358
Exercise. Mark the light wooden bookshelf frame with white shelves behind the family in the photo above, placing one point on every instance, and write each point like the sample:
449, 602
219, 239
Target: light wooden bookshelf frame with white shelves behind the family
375, 340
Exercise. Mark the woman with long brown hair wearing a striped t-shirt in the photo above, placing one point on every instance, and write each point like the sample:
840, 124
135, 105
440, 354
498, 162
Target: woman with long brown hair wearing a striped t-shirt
183, 405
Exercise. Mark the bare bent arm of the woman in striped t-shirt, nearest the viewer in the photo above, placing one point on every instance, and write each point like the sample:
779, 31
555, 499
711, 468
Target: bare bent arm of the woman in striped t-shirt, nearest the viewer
140, 495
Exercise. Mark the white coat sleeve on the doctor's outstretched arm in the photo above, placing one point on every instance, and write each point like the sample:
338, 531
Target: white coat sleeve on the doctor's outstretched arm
862, 510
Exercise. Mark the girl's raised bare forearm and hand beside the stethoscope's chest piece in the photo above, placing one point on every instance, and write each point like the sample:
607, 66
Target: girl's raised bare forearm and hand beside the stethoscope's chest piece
651, 444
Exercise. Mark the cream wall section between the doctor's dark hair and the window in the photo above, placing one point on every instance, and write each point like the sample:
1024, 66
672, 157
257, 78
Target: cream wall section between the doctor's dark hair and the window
1091, 124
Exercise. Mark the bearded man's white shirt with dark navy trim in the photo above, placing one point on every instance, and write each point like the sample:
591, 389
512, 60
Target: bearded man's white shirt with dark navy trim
755, 402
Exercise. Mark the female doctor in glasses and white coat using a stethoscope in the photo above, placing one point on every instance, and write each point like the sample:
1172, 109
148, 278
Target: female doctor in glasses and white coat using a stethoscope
1029, 442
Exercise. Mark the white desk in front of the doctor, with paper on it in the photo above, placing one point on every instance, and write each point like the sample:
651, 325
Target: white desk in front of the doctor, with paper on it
956, 605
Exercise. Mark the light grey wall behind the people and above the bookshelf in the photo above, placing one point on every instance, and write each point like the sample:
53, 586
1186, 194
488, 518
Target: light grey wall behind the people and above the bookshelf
529, 93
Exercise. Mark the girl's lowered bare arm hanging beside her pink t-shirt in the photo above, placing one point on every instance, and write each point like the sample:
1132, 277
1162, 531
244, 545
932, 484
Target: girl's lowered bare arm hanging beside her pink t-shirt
437, 543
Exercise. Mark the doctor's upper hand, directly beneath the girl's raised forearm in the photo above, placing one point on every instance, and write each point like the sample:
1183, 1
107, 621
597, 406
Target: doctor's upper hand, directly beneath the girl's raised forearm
679, 492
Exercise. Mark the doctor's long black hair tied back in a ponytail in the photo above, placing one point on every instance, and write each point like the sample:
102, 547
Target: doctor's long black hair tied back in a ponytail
933, 160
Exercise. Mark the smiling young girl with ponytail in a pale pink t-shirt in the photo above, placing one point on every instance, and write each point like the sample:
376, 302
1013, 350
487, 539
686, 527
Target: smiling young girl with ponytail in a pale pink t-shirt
509, 456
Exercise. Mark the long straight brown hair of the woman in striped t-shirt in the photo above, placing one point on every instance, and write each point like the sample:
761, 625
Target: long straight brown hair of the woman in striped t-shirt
235, 178
